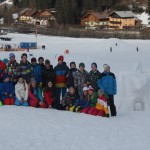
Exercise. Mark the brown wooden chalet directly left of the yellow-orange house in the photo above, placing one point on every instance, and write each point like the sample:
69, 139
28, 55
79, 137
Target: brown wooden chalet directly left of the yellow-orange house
95, 20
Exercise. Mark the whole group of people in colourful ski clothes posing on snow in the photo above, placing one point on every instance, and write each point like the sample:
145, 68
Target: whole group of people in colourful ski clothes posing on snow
38, 84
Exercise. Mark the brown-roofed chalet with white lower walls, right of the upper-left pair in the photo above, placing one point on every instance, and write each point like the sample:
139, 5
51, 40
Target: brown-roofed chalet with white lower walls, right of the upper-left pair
44, 17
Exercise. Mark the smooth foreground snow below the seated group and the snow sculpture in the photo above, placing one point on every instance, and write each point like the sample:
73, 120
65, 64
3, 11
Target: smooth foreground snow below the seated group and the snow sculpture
40, 129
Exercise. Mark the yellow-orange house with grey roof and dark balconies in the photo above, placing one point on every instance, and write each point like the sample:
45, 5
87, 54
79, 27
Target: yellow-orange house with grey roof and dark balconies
121, 20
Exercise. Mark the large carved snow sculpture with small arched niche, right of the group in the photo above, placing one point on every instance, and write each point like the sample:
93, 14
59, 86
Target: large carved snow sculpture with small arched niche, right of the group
134, 89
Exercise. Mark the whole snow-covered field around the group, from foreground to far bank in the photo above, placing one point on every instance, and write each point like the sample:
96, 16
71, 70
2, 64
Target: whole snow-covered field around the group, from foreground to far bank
40, 129
